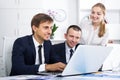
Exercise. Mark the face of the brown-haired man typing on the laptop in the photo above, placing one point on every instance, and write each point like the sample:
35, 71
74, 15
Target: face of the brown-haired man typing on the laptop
43, 32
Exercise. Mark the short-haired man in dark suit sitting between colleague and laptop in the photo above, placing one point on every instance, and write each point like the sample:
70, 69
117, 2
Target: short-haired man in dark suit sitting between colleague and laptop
62, 52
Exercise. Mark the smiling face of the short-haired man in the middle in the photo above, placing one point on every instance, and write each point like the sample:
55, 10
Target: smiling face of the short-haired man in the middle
72, 37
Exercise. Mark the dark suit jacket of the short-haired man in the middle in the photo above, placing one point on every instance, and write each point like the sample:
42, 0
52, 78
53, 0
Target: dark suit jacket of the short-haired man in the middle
58, 53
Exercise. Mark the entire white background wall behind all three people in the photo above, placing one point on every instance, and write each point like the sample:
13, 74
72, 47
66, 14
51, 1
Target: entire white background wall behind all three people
16, 15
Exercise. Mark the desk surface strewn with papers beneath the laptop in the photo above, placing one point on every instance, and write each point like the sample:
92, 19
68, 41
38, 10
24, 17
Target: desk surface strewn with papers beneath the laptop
97, 76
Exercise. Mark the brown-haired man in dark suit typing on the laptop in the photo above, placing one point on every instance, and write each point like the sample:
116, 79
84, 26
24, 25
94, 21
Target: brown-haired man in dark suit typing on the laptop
27, 57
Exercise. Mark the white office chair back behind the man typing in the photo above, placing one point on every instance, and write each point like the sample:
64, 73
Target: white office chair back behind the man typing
7, 53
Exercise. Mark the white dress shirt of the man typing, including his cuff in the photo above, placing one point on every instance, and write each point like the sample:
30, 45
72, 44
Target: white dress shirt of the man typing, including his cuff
42, 66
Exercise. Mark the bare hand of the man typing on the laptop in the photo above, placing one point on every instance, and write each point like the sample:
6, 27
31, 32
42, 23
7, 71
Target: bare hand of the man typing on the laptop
55, 67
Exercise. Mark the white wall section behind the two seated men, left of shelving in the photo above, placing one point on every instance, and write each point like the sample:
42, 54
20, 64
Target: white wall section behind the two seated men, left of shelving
16, 15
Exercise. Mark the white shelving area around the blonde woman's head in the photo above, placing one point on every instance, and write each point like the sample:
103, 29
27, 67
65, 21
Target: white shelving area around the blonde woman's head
112, 15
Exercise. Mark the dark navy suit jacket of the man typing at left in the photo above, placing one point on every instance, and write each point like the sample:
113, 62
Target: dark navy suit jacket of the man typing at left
24, 54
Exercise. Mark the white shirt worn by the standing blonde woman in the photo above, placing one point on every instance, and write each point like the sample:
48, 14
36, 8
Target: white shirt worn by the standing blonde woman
90, 36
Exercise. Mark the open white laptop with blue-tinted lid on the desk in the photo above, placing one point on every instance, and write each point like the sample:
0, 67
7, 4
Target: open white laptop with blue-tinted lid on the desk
86, 59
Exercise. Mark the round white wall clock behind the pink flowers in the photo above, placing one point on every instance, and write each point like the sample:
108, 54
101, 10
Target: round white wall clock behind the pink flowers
60, 15
